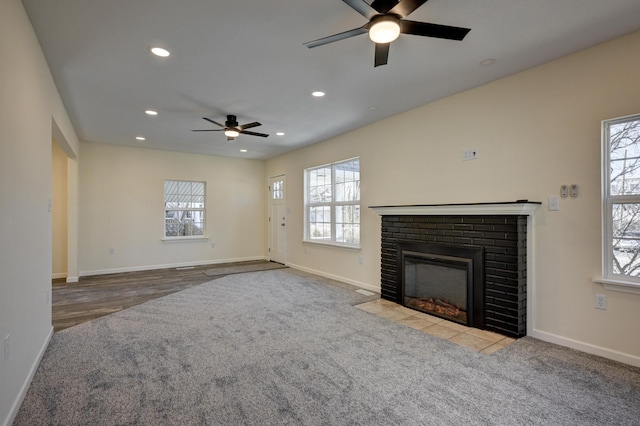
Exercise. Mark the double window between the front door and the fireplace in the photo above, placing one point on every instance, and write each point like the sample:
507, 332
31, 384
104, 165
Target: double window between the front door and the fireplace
332, 198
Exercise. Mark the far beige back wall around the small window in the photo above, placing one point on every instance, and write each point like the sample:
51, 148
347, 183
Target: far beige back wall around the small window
121, 208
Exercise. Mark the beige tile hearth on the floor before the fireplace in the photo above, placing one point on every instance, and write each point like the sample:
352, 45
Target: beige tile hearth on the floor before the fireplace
482, 341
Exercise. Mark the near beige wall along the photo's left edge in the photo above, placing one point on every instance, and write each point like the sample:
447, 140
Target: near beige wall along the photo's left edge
29, 105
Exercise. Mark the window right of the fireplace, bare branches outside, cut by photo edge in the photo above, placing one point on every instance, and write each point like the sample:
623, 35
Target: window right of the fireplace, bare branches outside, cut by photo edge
621, 199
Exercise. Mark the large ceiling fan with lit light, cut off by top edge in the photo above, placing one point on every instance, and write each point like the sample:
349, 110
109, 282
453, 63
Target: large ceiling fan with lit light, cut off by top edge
386, 22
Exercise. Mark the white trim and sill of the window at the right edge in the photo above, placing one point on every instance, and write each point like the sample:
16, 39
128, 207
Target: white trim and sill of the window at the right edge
611, 281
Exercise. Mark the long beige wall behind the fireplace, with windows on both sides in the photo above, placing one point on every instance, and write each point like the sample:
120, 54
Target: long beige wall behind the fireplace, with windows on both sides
534, 132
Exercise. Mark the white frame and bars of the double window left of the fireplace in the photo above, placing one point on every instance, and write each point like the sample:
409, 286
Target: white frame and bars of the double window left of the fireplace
333, 205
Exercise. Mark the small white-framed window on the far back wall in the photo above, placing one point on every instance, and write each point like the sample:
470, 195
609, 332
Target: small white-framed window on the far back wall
184, 208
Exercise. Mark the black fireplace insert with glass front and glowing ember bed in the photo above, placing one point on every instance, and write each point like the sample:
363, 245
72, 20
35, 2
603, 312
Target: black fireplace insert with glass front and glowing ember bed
445, 281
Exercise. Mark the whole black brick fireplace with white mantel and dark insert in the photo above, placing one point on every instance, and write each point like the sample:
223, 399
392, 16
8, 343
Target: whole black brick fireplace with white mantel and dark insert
498, 299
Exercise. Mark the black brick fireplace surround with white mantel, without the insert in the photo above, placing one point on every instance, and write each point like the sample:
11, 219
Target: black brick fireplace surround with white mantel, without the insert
499, 228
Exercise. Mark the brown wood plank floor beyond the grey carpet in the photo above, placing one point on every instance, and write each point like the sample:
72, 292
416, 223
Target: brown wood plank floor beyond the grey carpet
96, 296
